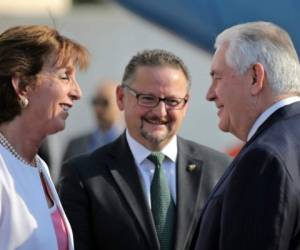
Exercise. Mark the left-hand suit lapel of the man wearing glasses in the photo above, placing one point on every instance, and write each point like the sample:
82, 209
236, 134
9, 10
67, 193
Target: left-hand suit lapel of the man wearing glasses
124, 172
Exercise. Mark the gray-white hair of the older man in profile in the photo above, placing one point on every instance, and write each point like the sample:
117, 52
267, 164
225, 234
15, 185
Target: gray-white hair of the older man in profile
265, 43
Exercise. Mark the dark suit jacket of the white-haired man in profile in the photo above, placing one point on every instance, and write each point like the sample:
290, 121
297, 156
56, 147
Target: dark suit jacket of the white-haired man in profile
256, 204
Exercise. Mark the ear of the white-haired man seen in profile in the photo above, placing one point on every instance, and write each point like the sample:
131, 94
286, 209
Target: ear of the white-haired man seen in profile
258, 78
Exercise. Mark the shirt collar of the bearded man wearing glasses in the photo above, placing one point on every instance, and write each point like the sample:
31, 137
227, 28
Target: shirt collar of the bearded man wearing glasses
140, 153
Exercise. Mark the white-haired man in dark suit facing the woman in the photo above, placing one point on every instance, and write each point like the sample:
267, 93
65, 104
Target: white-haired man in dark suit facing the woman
256, 86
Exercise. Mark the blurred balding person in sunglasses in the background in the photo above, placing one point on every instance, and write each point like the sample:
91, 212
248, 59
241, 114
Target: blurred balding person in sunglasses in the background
109, 118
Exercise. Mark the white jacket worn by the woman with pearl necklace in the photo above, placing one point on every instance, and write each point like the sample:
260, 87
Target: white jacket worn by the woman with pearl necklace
25, 220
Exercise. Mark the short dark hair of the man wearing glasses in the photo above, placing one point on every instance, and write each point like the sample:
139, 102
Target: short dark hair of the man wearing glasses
156, 57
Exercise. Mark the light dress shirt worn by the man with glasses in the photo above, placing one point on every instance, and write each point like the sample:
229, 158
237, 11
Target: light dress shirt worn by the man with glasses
146, 168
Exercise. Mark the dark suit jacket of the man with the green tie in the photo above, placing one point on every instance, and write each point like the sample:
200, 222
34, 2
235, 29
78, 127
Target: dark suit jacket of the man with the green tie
105, 203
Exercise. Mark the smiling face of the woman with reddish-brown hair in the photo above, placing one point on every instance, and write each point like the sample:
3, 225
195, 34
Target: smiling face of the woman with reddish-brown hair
52, 96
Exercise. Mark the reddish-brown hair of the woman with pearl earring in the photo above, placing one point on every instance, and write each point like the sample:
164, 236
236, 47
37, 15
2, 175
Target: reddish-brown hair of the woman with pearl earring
23, 52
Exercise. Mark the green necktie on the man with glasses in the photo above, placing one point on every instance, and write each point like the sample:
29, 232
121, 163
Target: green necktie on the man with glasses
163, 207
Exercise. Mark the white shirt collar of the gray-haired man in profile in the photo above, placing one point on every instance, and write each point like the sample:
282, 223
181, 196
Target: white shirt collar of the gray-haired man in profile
269, 111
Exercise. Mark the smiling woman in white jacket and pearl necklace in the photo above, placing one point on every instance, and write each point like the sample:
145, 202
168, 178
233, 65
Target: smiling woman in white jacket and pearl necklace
37, 88
